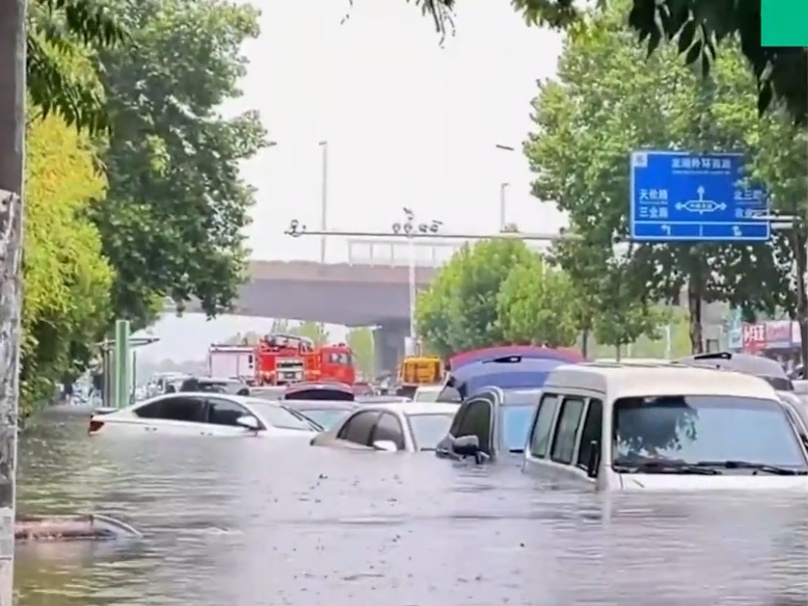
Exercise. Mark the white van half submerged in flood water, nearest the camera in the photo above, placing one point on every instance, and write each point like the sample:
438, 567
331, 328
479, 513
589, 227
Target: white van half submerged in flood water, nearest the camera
664, 427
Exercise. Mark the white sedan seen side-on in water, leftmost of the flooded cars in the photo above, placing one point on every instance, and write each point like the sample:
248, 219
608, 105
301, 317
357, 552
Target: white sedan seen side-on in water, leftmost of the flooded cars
208, 414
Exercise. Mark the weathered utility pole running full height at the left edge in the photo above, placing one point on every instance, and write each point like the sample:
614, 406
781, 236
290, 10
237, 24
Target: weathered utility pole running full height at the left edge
12, 163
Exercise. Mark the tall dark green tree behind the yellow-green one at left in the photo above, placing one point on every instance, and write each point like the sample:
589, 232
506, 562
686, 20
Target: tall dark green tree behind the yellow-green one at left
172, 222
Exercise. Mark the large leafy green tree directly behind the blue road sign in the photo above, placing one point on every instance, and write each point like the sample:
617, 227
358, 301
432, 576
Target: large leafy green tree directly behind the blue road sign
607, 103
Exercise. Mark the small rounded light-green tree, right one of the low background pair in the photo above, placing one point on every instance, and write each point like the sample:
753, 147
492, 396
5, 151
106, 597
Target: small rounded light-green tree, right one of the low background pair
536, 304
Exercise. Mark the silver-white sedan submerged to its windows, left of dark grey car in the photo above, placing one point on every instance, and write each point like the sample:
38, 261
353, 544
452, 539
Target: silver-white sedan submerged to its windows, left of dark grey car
391, 427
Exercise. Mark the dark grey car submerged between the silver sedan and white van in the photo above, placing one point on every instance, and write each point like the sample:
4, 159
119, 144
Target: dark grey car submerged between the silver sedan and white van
500, 420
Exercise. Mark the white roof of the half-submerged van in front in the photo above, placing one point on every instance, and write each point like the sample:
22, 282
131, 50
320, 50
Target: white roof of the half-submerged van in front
637, 380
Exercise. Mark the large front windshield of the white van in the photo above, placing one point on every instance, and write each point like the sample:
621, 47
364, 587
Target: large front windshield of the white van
694, 429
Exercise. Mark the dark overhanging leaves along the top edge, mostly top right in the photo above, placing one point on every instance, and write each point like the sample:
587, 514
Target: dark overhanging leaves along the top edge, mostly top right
696, 27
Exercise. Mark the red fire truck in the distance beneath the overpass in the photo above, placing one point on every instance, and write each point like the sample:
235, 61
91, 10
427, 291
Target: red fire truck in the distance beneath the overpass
284, 359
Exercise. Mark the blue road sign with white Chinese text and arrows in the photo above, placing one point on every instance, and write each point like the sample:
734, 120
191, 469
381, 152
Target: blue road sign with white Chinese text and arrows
686, 196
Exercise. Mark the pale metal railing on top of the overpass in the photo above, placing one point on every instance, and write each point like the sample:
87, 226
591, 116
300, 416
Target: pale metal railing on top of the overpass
396, 253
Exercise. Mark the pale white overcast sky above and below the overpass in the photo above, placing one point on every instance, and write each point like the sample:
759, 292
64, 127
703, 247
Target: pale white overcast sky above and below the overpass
408, 124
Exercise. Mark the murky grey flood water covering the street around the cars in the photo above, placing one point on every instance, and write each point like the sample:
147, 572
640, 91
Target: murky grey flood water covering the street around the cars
249, 522
